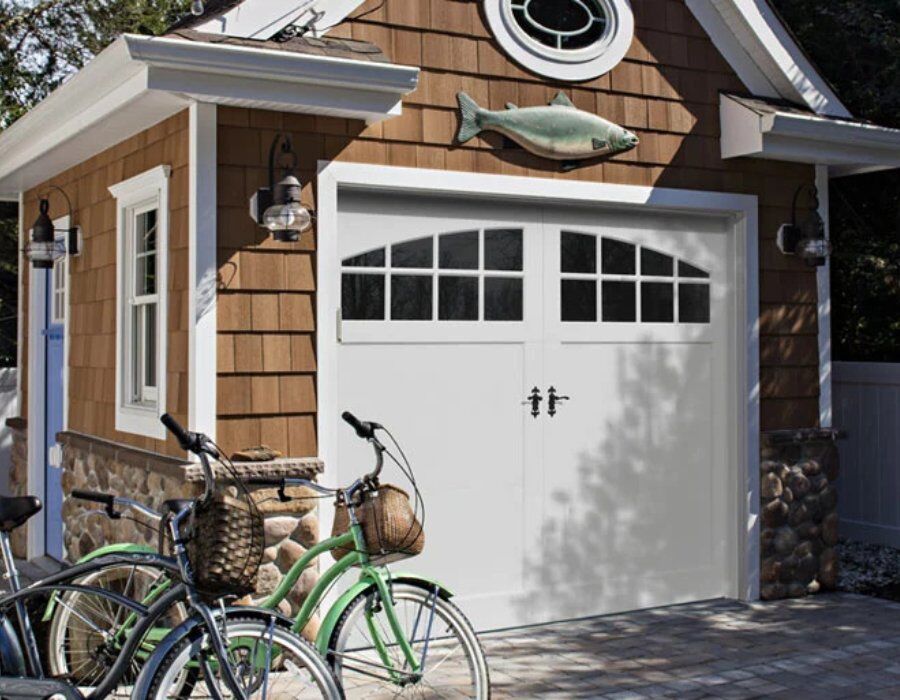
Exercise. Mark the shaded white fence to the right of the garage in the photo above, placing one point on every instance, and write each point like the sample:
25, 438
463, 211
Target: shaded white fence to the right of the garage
867, 407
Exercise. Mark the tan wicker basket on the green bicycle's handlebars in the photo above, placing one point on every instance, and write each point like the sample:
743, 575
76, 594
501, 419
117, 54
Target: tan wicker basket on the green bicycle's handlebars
389, 525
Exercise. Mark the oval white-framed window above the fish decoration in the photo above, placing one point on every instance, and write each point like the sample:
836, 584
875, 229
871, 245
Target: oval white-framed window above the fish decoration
571, 40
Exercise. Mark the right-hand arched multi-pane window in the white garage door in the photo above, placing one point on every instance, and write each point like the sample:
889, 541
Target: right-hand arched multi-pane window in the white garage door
635, 284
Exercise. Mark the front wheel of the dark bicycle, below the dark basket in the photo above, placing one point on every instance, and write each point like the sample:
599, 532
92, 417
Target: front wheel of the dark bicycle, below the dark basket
269, 661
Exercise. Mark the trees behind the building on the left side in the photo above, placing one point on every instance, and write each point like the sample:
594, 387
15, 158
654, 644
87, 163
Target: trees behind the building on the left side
41, 44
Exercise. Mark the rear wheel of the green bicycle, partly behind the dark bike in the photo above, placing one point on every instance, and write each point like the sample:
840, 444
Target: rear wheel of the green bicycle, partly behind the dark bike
87, 631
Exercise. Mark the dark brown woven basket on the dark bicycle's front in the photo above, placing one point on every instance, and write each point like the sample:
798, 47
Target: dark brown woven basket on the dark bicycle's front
226, 546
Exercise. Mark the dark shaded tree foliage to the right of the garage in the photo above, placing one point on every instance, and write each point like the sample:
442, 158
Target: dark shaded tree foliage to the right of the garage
856, 45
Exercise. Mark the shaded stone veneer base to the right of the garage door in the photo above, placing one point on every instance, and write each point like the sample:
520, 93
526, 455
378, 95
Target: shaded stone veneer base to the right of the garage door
799, 513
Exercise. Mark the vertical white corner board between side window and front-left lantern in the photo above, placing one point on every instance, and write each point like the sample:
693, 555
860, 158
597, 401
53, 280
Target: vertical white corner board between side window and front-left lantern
202, 194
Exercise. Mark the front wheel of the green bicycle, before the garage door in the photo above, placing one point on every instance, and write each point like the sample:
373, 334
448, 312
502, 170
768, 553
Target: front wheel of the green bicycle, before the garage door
451, 660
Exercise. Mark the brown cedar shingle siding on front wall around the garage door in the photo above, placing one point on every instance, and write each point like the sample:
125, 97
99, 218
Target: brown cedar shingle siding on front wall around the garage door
666, 90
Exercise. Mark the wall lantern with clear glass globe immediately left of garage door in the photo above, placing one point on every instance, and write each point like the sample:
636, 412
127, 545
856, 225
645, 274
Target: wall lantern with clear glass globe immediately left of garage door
277, 207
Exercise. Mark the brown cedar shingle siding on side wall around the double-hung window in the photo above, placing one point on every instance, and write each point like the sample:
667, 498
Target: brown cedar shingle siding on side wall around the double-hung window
92, 282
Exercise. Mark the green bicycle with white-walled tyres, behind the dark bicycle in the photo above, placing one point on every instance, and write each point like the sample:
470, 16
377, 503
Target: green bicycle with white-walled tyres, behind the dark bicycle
388, 635
